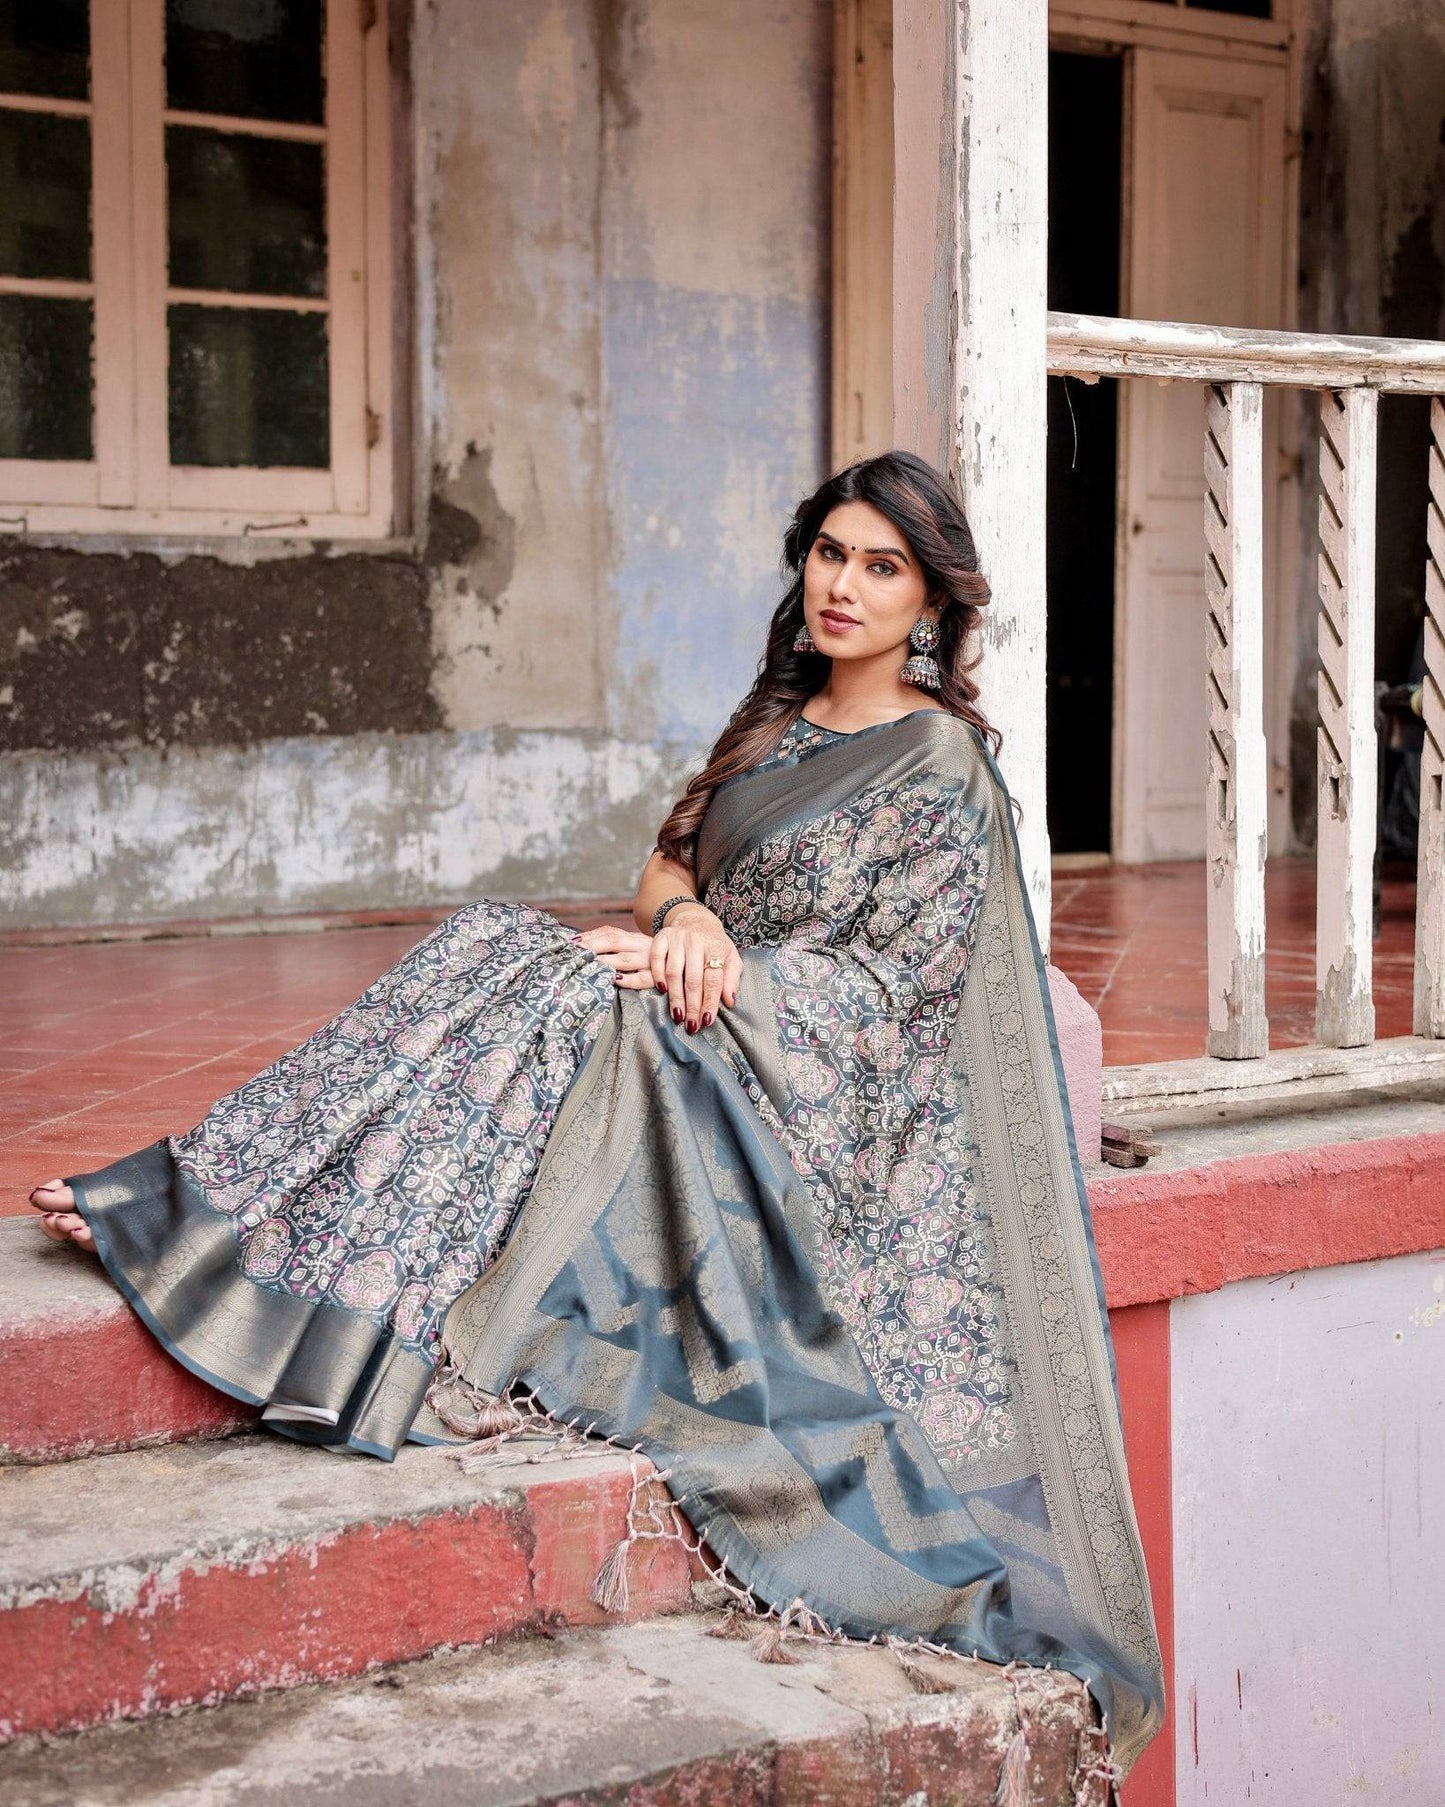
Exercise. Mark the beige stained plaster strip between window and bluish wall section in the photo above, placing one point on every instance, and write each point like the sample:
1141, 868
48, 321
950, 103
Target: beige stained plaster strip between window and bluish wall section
512, 176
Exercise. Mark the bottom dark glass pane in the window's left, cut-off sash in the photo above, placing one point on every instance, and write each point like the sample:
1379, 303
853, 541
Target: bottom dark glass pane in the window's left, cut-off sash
44, 377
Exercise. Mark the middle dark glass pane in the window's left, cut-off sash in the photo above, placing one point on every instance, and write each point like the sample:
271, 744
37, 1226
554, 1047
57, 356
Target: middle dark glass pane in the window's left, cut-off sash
44, 196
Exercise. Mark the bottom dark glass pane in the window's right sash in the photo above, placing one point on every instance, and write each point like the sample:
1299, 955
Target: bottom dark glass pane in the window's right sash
248, 386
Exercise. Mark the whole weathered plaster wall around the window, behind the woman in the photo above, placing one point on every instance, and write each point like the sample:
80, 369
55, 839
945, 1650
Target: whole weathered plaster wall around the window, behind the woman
620, 364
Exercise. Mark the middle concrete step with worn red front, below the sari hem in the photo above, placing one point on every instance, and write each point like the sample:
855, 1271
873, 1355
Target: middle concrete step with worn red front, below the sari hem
138, 1582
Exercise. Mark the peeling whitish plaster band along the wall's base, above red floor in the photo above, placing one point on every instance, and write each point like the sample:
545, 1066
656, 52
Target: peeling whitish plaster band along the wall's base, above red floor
328, 821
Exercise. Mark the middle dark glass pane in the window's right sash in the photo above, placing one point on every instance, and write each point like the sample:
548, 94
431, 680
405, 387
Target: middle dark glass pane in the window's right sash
247, 214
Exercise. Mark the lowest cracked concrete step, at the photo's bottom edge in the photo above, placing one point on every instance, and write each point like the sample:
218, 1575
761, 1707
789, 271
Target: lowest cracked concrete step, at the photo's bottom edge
648, 1716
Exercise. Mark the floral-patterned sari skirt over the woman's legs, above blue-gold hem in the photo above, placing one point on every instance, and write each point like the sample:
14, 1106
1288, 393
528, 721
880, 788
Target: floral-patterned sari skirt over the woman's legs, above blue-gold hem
382, 1165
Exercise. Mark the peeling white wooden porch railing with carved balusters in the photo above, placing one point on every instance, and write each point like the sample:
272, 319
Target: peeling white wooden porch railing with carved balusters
1352, 373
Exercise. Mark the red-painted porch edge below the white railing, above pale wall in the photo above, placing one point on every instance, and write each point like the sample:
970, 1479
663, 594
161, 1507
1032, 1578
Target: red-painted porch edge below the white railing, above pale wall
1168, 1235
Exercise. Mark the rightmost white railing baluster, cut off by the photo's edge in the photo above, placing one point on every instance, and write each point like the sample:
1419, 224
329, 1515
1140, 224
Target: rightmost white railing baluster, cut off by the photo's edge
1430, 897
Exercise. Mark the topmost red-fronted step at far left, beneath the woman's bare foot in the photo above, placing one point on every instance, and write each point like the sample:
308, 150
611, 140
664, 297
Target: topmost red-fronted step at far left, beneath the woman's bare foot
79, 1371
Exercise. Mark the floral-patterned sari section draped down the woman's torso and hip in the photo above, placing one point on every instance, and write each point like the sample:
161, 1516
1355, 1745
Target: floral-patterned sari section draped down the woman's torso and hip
868, 919
